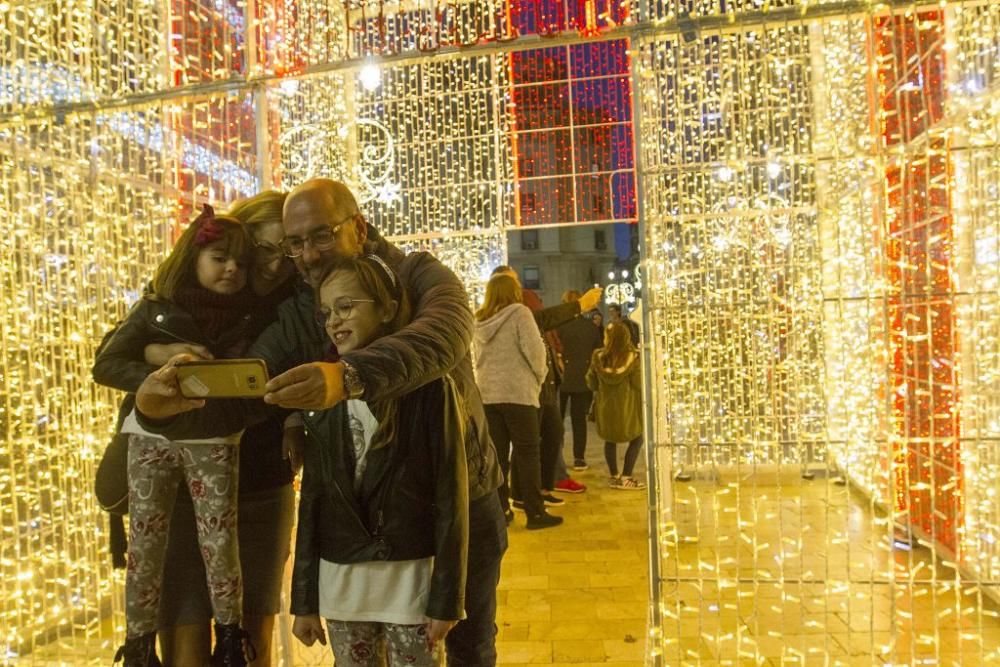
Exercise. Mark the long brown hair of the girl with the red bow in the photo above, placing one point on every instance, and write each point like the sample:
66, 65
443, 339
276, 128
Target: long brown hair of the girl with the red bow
179, 270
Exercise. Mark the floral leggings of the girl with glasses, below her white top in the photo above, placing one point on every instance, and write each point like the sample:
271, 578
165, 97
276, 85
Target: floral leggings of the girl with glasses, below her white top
358, 643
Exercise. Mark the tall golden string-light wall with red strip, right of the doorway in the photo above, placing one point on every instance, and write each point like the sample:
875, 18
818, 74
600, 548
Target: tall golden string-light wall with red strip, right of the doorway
878, 376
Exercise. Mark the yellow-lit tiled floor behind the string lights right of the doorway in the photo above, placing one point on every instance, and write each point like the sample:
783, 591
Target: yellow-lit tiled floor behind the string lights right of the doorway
776, 570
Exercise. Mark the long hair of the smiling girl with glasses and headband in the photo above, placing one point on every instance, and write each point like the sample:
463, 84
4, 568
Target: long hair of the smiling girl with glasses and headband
380, 283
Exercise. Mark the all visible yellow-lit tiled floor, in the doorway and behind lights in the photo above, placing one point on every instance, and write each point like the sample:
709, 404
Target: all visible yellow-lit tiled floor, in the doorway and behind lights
577, 594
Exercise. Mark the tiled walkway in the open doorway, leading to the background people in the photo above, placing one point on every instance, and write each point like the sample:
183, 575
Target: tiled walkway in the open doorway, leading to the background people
577, 594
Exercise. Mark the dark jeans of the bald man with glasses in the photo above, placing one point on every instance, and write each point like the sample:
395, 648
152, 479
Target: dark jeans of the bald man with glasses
472, 643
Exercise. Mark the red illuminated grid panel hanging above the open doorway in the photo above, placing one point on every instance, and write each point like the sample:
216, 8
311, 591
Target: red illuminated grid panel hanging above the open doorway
573, 143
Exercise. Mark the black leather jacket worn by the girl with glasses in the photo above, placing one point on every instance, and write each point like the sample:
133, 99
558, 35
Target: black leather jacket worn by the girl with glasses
413, 501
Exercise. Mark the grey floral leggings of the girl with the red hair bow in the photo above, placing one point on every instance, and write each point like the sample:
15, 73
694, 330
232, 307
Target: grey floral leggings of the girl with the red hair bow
155, 469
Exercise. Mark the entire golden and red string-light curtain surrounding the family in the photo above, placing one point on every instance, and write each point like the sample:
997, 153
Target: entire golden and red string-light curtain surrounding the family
818, 189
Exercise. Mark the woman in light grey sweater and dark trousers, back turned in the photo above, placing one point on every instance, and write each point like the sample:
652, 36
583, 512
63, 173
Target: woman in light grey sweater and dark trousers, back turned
510, 369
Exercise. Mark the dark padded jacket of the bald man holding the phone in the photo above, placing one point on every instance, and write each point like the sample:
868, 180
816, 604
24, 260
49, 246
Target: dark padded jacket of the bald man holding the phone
435, 343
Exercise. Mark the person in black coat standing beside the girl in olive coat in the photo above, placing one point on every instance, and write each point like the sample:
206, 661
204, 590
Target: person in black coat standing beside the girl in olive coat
579, 339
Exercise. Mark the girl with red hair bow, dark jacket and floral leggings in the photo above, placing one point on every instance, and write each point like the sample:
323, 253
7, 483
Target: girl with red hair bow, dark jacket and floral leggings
199, 296
